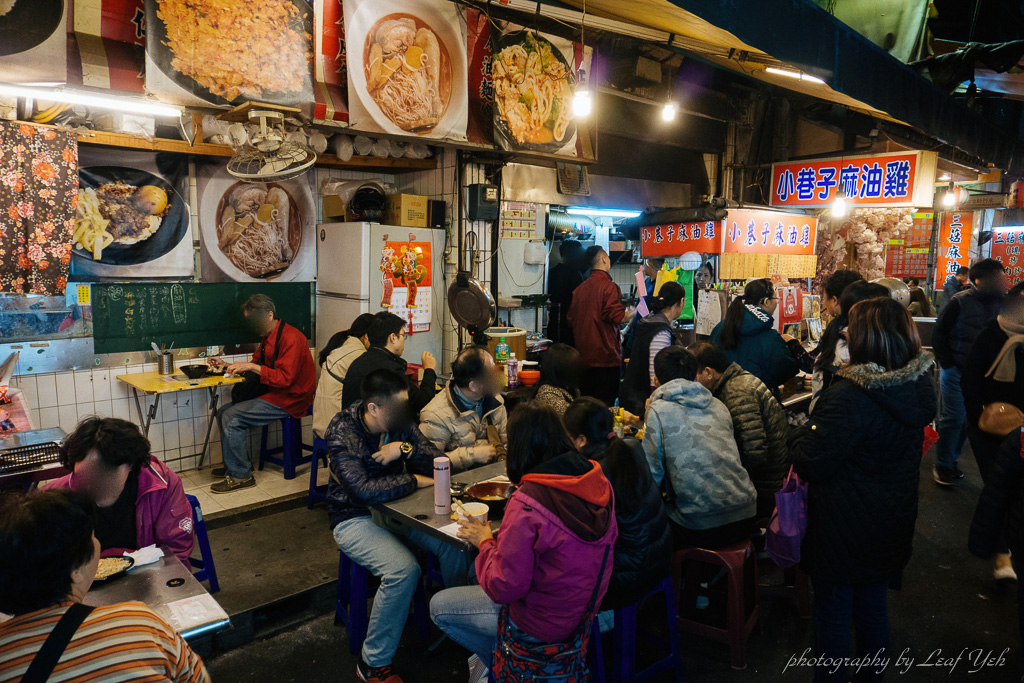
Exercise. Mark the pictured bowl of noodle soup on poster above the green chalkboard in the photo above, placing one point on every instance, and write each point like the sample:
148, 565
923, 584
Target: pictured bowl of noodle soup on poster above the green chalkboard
254, 231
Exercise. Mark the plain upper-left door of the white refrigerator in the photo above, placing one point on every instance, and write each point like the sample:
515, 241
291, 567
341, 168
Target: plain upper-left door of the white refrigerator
344, 265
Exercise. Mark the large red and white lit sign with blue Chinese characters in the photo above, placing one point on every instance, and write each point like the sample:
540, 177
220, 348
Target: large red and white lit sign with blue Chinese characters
890, 180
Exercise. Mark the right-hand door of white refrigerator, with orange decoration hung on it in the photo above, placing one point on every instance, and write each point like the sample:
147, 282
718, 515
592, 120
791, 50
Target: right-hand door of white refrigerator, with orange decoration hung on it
424, 316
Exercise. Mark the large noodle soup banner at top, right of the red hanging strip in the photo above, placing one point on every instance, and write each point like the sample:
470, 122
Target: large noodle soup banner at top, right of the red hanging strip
407, 68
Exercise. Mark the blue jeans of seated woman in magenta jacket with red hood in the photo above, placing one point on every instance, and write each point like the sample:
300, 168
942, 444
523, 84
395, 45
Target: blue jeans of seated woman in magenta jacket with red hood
470, 618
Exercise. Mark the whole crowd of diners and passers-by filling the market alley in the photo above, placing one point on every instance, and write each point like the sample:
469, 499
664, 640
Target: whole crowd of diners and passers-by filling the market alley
594, 519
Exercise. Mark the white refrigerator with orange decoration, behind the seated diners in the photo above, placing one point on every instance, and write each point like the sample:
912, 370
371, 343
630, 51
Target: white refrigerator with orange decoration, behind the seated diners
368, 268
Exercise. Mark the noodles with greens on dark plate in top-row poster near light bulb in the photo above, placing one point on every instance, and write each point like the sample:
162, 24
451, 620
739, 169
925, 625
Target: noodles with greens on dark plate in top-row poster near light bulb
534, 89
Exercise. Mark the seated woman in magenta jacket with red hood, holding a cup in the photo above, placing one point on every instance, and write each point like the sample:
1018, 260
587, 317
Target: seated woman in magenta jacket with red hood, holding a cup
546, 565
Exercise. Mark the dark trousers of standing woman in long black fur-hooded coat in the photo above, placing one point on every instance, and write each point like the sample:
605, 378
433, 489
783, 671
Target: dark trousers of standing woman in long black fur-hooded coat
837, 607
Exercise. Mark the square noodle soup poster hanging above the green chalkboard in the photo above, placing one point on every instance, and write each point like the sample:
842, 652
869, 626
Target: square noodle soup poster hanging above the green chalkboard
255, 232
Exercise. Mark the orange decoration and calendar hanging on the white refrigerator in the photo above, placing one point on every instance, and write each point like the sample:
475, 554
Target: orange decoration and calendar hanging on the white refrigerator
406, 273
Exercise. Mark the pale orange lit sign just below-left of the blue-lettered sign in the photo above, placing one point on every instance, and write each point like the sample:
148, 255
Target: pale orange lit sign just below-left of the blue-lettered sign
770, 233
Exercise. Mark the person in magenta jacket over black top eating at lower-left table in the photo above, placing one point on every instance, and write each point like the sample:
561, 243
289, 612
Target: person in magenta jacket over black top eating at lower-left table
140, 501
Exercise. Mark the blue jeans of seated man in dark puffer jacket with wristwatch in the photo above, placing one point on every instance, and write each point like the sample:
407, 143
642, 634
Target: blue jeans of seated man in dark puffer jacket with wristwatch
387, 557
